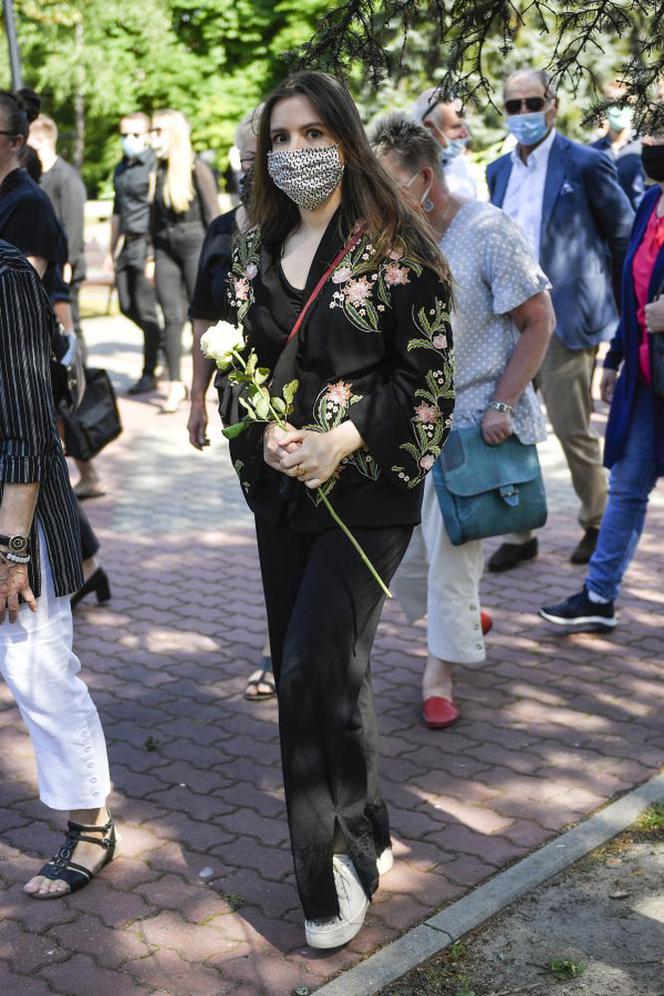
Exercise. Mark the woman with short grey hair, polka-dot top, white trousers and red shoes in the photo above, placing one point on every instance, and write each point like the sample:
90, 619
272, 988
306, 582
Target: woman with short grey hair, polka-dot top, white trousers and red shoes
502, 325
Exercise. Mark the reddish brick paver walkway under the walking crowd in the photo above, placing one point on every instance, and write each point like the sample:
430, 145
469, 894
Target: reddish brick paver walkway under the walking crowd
201, 901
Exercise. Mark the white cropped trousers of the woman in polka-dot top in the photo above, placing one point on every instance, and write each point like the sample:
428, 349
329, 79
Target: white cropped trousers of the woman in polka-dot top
441, 582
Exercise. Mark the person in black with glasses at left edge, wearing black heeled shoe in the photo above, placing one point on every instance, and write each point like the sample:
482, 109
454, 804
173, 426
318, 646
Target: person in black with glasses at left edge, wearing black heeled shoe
28, 221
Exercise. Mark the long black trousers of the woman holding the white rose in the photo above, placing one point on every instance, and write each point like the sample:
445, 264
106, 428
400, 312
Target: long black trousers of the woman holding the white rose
323, 609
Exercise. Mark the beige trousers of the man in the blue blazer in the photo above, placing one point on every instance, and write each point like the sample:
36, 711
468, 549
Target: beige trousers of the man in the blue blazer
565, 380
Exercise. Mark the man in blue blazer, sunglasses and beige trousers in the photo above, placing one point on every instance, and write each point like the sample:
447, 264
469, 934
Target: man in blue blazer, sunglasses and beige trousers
568, 201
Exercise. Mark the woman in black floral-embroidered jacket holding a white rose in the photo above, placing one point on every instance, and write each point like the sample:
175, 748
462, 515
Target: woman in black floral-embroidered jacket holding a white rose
373, 407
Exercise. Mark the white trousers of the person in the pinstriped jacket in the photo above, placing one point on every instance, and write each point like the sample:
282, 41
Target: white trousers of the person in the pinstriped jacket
40, 668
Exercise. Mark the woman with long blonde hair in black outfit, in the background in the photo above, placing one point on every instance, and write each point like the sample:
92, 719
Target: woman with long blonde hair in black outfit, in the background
185, 202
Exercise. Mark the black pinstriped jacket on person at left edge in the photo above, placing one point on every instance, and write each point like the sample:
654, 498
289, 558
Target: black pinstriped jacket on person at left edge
30, 448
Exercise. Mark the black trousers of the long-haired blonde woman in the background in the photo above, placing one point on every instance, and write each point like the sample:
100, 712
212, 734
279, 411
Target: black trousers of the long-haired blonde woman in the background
176, 267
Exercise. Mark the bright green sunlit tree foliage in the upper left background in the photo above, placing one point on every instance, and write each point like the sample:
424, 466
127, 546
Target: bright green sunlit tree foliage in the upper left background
214, 61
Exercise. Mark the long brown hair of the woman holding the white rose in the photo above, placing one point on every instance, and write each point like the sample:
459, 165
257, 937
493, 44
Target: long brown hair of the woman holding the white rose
368, 194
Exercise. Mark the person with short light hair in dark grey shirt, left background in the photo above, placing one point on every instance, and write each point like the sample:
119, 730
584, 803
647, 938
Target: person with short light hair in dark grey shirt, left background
66, 191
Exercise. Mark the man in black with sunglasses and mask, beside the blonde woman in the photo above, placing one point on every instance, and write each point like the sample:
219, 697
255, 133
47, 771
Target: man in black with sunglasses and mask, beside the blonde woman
131, 223
